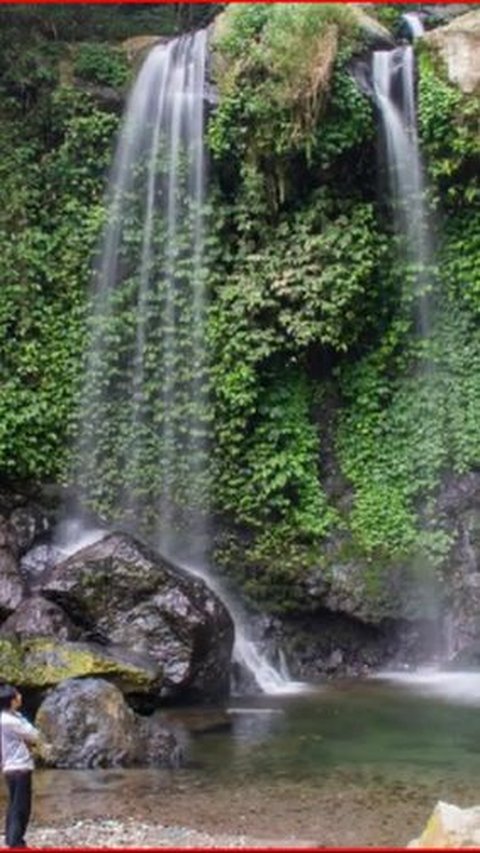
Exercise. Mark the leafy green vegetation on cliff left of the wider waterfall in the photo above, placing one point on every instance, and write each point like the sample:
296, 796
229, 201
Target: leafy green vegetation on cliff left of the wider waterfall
51, 200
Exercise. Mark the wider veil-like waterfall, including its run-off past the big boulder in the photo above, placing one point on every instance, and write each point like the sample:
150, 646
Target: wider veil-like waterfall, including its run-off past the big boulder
143, 444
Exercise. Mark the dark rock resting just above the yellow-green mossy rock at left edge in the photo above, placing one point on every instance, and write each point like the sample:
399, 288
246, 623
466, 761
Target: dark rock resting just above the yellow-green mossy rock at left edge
37, 617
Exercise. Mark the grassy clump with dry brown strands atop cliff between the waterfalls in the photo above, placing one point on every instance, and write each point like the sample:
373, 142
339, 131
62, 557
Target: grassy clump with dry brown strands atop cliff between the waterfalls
274, 65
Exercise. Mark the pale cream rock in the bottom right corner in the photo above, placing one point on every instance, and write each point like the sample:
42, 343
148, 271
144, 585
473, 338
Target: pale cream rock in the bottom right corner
450, 826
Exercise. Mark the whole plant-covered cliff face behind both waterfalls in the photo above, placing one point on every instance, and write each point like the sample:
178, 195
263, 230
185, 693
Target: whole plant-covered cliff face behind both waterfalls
345, 486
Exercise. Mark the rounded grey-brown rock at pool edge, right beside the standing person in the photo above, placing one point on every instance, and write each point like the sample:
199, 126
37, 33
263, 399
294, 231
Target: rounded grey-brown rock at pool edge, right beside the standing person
89, 724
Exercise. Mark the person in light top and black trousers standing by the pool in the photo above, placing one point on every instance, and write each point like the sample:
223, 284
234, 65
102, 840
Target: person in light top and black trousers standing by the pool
17, 736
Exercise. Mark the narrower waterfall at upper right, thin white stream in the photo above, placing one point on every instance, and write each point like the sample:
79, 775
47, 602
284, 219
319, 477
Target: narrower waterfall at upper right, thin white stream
393, 74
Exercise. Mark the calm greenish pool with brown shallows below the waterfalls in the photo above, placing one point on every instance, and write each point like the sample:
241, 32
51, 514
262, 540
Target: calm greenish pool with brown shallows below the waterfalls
350, 763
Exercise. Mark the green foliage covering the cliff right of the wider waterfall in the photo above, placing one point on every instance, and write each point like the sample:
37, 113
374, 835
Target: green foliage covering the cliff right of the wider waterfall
406, 409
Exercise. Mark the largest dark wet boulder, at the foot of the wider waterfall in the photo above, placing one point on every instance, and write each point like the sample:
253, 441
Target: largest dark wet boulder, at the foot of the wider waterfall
127, 595
